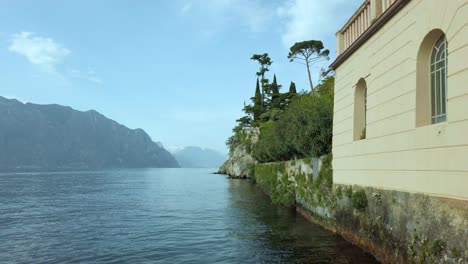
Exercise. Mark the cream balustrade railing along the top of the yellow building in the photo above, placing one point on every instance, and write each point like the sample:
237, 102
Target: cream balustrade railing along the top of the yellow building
362, 19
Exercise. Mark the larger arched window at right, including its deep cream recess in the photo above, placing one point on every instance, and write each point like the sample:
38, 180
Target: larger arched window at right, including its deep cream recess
431, 79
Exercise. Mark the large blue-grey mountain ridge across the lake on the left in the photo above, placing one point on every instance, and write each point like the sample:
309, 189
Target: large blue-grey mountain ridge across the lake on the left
52, 137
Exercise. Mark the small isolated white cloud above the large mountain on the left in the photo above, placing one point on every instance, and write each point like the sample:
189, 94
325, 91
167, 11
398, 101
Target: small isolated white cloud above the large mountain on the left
44, 52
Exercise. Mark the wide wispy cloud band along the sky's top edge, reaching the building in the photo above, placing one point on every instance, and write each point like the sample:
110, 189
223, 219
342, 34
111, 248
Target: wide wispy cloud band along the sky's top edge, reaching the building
297, 20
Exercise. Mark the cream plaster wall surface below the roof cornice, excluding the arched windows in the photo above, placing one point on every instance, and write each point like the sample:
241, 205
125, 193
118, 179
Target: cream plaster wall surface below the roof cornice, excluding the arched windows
398, 154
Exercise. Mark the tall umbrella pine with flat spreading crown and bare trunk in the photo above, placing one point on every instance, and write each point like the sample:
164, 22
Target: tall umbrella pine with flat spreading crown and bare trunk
308, 52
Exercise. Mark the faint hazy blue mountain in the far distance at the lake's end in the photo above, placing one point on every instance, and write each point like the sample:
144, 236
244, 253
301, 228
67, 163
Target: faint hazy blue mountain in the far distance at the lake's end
196, 157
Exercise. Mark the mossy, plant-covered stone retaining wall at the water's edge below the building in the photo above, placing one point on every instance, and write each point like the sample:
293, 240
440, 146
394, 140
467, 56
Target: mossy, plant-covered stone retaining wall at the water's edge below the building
395, 226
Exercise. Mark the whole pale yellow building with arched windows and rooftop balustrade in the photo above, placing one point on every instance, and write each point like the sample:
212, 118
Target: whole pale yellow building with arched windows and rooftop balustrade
401, 97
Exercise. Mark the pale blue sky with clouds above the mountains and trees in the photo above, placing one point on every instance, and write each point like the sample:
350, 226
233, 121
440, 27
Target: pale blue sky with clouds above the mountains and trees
179, 69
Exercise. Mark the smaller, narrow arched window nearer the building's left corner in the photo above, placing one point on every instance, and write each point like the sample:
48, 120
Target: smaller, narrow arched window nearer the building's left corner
360, 110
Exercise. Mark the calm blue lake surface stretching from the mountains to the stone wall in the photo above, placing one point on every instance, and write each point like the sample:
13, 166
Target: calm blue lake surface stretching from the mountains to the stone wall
155, 216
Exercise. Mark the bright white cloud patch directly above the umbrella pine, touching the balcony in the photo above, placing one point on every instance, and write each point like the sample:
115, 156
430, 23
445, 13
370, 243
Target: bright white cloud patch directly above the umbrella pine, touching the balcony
313, 19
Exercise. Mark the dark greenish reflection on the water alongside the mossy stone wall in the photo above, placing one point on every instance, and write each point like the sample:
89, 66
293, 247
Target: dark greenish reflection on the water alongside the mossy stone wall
284, 236
